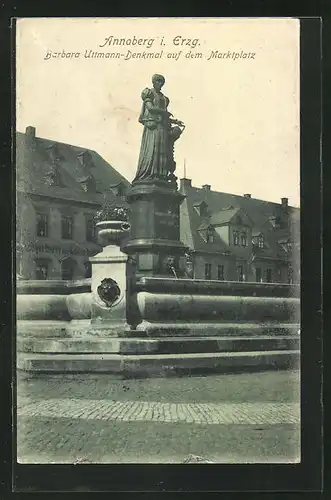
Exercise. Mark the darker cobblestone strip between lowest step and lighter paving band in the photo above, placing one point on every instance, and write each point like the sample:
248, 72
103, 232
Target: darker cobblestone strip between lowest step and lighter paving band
282, 386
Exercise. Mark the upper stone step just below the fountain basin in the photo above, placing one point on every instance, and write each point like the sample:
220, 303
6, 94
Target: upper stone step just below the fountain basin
158, 346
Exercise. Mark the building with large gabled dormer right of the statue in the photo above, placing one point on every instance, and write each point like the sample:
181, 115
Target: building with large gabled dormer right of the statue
238, 238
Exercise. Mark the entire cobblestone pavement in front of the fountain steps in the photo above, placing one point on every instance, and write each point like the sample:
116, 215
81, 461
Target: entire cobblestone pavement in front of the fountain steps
242, 418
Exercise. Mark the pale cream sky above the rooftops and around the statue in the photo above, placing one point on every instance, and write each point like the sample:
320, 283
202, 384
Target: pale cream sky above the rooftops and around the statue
241, 112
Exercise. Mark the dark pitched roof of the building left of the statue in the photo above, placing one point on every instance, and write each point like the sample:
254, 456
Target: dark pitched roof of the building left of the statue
34, 162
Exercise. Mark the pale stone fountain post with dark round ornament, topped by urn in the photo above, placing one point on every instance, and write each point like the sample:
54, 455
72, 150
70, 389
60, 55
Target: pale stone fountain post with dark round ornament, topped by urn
109, 279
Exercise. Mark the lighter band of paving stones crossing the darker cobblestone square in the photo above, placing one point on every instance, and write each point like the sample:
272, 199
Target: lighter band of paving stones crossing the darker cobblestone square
148, 411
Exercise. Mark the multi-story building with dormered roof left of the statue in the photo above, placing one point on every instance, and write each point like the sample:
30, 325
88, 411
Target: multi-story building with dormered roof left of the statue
59, 189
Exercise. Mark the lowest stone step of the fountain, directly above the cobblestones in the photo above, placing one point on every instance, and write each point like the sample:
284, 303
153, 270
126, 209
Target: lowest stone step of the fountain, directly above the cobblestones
158, 364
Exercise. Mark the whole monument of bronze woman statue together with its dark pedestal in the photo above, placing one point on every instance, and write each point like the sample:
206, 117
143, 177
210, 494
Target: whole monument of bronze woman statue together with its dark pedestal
154, 199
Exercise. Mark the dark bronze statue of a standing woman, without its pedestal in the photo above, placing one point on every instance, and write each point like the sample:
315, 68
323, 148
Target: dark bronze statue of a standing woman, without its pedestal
156, 159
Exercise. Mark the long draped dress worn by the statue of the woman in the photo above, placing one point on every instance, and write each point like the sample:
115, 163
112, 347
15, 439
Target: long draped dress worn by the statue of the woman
153, 158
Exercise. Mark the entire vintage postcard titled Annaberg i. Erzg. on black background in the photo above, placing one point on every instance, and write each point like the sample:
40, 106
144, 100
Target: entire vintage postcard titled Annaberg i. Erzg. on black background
158, 240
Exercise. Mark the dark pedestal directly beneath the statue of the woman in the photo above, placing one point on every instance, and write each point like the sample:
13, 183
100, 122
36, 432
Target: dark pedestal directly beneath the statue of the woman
154, 240
